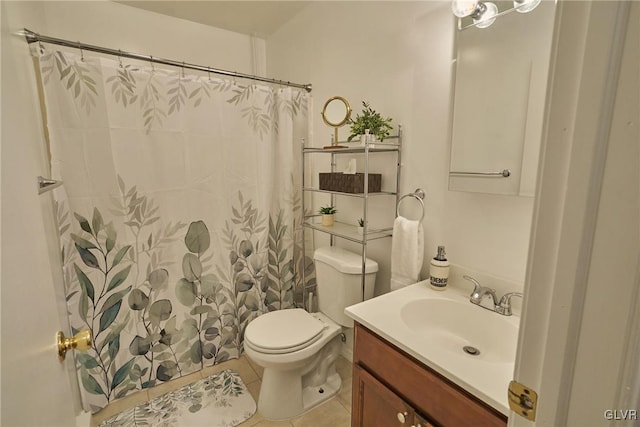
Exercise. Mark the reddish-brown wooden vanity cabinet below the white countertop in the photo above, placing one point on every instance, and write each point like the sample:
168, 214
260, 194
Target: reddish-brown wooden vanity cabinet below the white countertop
390, 388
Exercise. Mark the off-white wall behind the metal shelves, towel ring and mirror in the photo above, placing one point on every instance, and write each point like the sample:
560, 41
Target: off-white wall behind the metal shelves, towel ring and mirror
397, 56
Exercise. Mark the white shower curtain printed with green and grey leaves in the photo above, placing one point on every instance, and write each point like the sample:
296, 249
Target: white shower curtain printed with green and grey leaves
178, 216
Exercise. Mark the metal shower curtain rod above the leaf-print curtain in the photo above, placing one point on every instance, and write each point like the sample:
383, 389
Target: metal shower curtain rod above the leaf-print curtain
33, 37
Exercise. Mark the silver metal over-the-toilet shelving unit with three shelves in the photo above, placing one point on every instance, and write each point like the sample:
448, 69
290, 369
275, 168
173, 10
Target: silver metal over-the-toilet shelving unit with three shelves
346, 231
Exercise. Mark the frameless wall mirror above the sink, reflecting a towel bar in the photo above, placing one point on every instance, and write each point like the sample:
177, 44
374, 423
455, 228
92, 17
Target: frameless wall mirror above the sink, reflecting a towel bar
498, 102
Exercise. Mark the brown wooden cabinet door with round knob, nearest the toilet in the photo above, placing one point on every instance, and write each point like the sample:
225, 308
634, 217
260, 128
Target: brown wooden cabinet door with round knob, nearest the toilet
375, 405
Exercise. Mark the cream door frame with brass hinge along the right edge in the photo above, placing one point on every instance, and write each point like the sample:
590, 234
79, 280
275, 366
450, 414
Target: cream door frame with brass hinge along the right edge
581, 289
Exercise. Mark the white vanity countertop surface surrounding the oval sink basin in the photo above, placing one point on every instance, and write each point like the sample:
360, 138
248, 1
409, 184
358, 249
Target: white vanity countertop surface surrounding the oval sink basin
487, 380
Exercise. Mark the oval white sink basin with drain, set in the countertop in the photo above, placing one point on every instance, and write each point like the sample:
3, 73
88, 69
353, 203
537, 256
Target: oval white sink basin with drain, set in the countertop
453, 325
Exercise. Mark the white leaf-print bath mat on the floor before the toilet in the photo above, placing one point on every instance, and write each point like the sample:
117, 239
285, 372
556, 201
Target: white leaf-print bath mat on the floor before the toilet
221, 400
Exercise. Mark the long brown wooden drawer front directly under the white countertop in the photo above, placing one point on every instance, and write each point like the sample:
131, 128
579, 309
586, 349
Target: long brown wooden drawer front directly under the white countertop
424, 389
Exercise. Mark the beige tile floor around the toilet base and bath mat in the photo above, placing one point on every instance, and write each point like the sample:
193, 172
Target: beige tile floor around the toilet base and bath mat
335, 412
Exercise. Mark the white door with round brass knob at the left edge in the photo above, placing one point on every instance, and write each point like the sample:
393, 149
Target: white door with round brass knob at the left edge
35, 386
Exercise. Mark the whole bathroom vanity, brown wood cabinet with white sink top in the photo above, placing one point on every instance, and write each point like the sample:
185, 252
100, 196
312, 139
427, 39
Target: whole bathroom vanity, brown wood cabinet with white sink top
409, 367
